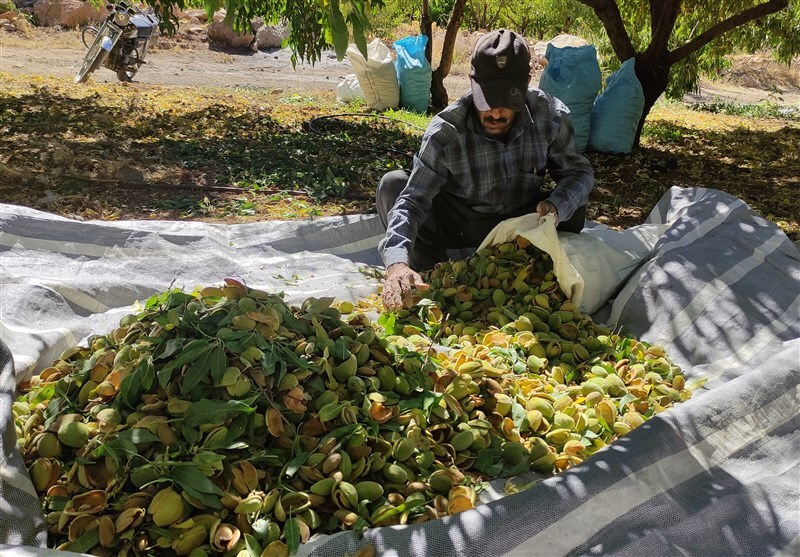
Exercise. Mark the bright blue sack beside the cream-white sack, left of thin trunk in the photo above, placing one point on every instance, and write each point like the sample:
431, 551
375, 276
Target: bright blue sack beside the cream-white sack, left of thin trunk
413, 73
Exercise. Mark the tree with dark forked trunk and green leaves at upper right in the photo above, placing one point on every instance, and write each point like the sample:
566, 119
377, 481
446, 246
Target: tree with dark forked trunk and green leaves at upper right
674, 41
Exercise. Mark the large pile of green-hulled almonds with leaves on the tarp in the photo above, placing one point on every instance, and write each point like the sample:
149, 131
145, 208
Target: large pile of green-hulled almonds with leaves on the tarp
226, 422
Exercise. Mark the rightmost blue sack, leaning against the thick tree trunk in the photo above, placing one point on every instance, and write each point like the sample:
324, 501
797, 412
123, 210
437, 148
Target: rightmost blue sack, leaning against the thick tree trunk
616, 112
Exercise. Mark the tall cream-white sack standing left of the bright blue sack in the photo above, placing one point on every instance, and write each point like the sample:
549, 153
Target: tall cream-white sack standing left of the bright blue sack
376, 74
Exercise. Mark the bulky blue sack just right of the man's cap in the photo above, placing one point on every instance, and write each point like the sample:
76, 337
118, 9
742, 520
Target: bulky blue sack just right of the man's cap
572, 75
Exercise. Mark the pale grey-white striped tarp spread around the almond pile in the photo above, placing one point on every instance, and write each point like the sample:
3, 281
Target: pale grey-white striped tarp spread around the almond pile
717, 475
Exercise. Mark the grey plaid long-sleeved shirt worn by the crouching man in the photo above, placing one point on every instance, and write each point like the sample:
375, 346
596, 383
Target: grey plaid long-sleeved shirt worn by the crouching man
490, 175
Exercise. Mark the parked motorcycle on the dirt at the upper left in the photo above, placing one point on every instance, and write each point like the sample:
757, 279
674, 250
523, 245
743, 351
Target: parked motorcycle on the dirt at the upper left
120, 44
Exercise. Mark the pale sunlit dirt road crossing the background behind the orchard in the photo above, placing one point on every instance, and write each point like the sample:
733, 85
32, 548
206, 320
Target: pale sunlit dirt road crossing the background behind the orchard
188, 60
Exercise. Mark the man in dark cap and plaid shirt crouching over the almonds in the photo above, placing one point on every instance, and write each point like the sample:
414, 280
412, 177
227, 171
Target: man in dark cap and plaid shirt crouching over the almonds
482, 160
